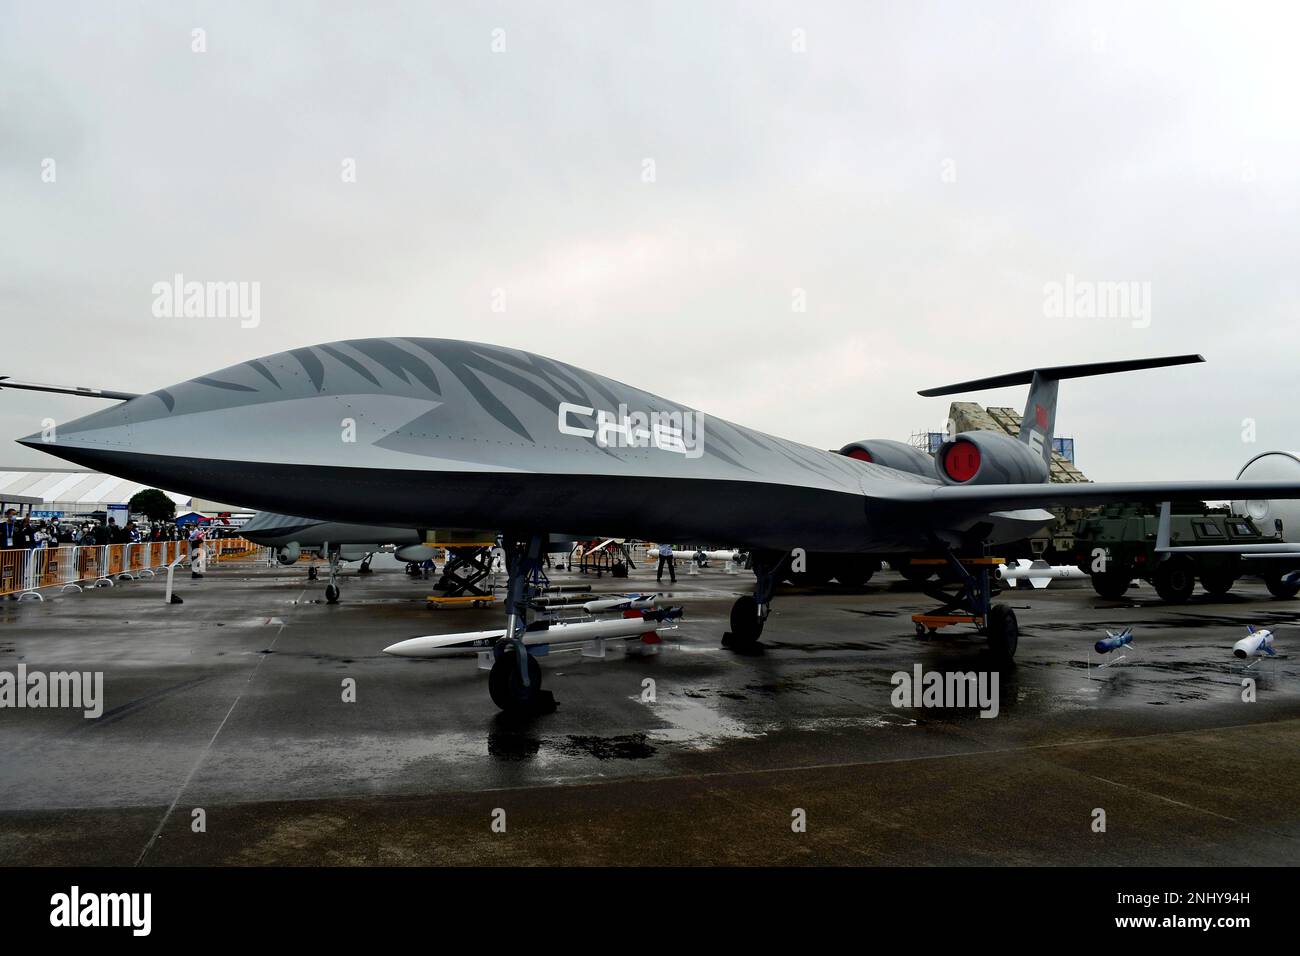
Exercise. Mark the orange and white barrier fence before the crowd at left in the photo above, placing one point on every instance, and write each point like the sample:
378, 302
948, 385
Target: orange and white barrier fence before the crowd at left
25, 572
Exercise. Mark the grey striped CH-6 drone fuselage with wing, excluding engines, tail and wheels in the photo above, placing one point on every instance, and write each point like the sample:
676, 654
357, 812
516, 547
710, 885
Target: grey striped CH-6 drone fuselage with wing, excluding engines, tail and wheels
432, 432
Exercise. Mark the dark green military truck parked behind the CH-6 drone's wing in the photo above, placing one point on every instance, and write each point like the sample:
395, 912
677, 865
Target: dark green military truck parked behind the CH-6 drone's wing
1119, 544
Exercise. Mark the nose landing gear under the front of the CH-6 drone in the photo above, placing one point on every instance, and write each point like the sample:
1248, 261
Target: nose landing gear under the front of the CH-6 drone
515, 680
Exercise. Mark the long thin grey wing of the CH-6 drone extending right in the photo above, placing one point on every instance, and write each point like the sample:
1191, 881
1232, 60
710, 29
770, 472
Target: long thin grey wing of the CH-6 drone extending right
985, 499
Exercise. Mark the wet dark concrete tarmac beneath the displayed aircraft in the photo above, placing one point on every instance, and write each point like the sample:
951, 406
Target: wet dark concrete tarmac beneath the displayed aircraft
233, 704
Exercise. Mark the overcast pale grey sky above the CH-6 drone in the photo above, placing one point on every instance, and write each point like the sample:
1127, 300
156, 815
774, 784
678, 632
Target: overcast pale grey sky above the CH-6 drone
918, 175
